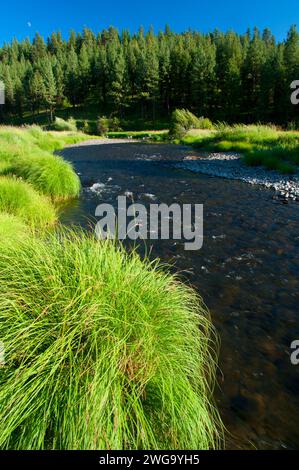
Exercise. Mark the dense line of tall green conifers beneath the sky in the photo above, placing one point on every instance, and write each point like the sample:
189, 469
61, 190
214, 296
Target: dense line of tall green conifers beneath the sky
223, 76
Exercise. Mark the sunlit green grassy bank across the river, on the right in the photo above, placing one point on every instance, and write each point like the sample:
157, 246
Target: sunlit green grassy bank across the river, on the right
260, 145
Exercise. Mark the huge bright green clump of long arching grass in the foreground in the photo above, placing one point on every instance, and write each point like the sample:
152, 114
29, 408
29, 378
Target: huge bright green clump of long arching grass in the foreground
103, 351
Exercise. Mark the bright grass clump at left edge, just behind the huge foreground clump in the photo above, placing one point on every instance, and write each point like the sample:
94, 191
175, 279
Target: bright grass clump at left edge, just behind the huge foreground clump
20, 199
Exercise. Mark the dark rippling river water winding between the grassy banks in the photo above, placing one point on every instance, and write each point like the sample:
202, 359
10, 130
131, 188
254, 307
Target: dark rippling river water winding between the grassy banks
247, 273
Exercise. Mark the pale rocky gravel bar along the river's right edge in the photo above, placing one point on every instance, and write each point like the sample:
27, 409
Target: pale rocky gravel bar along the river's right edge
231, 166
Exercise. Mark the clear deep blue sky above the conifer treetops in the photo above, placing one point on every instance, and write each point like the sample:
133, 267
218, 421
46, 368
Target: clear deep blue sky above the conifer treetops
22, 19
